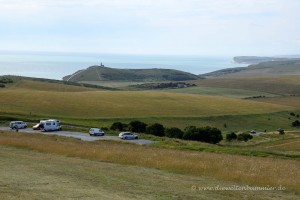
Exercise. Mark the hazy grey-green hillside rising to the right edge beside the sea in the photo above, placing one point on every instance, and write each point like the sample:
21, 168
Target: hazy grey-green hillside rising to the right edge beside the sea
270, 68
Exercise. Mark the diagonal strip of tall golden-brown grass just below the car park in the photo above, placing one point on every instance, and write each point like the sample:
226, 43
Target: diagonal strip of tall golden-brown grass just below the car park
250, 170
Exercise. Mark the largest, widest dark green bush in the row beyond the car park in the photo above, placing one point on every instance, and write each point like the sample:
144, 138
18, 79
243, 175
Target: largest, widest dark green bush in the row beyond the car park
203, 134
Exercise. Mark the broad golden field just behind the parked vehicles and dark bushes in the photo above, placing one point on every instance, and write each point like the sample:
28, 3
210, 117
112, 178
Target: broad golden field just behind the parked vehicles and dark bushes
97, 104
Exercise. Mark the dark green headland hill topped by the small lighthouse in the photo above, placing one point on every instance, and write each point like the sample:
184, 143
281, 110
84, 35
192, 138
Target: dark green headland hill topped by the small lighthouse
102, 73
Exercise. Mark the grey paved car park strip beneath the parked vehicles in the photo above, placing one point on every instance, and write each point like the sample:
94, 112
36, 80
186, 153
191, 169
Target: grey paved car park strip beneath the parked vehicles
82, 136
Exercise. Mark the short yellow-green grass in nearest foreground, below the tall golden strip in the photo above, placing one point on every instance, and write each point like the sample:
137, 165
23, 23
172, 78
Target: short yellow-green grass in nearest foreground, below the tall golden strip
28, 174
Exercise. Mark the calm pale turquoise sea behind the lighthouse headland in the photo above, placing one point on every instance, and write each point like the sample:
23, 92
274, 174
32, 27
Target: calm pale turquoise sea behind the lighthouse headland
56, 65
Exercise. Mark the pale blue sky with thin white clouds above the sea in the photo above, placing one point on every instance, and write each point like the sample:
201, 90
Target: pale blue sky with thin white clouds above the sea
160, 27
